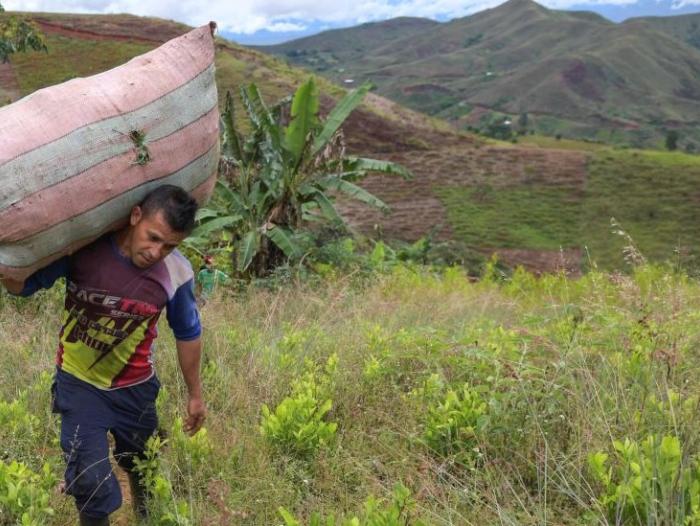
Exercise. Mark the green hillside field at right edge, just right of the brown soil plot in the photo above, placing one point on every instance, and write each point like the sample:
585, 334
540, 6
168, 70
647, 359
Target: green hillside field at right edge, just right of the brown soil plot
652, 195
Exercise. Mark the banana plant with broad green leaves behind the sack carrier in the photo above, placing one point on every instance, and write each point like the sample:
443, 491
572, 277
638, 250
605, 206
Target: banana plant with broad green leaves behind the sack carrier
284, 174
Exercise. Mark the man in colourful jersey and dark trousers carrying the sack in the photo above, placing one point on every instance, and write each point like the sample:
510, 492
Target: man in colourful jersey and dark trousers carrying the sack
116, 289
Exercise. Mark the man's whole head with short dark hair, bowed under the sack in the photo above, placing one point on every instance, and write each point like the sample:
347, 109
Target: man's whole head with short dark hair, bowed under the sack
158, 225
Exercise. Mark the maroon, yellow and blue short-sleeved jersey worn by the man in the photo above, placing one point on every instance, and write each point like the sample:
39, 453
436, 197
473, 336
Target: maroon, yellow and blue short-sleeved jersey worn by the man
112, 309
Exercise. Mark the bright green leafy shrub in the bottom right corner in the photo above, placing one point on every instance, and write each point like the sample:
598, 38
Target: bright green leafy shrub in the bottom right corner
648, 483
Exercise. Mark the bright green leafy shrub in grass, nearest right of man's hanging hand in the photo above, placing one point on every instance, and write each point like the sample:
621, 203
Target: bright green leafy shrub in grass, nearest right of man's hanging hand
298, 425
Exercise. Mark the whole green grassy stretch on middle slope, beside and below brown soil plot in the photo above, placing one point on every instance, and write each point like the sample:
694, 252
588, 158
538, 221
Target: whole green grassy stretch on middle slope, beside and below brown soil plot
651, 195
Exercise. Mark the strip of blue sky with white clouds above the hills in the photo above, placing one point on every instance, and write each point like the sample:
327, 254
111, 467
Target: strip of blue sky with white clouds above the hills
271, 21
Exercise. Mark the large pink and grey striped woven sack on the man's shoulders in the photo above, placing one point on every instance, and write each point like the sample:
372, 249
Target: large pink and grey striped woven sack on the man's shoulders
71, 164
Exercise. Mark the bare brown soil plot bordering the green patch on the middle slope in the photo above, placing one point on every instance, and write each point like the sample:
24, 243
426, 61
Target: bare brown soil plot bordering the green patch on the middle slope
416, 210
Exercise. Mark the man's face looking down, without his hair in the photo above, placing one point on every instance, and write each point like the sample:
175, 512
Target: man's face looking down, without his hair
152, 239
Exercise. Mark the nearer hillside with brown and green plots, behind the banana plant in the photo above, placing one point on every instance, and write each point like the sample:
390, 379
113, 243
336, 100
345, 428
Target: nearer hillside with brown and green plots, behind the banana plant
542, 202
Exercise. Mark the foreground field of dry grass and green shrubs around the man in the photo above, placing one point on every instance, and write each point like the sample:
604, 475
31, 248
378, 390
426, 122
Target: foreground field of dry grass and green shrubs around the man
526, 401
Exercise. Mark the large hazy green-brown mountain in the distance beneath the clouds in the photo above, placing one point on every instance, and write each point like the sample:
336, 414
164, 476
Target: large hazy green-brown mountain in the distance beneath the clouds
558, 72
